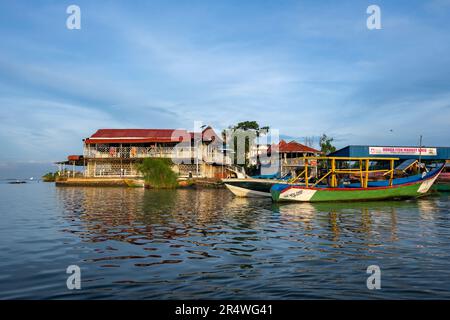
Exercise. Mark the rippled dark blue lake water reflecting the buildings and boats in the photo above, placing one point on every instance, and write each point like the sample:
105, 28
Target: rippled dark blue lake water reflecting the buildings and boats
188, 244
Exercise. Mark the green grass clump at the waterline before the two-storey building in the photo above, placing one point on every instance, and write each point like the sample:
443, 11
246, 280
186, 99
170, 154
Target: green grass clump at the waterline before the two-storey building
158, 173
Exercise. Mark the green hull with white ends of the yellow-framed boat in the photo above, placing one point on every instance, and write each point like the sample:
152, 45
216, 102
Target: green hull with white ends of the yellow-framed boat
285, 192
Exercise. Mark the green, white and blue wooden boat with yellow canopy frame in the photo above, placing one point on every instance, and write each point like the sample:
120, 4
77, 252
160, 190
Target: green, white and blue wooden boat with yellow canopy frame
406, 187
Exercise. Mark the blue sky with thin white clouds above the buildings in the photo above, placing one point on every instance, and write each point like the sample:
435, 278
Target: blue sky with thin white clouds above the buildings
304, 67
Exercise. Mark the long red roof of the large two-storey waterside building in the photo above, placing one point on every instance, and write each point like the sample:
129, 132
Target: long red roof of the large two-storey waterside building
137, 136
